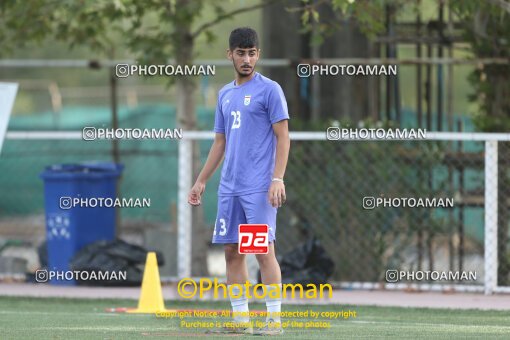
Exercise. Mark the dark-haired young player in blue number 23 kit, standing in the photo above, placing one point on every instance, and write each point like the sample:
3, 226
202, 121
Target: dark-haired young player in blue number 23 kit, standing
252, 133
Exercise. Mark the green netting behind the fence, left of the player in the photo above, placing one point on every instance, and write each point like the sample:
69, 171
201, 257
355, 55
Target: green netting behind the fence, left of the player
150, 165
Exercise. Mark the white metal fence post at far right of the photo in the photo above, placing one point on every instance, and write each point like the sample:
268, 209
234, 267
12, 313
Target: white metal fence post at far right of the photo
491, 216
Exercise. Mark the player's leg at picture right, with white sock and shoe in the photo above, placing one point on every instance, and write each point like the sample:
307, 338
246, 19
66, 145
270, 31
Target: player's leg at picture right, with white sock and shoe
272, 278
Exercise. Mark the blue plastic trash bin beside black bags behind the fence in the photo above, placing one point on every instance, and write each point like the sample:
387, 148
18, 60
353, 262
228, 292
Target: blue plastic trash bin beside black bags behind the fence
69, 228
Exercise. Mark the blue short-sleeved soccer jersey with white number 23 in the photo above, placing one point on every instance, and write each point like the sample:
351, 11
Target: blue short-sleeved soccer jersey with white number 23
245, 115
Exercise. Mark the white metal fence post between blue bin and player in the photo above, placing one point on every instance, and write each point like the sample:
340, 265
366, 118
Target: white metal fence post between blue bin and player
184, 209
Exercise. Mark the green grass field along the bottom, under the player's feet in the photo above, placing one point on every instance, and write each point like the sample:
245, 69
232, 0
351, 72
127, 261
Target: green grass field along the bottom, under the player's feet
34, 318
